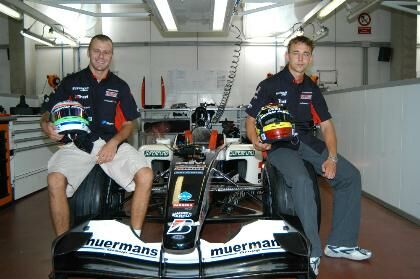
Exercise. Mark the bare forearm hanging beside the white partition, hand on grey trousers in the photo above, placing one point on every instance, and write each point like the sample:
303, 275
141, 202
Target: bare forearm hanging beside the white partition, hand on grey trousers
329, 167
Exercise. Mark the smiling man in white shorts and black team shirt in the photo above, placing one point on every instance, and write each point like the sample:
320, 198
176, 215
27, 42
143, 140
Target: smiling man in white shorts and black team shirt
102, 94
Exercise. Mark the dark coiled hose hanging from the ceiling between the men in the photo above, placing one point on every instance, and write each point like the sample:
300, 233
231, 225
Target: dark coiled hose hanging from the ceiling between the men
231, 77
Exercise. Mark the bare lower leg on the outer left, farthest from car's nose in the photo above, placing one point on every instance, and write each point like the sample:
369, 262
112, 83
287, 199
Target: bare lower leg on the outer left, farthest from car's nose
59, 207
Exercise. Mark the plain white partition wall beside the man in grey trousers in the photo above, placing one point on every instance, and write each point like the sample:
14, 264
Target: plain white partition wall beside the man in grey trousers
376, 130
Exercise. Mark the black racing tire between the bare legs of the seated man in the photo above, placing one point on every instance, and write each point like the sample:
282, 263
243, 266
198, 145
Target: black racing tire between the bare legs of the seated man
97, 197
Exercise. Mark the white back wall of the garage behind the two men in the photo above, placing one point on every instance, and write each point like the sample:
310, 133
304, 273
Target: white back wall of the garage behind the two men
134, 62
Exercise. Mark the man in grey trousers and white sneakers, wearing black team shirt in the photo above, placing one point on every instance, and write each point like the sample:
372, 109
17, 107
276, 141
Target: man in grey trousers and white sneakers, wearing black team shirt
303, 99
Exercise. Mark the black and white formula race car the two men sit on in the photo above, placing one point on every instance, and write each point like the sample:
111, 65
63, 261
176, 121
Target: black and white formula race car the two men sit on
197, 183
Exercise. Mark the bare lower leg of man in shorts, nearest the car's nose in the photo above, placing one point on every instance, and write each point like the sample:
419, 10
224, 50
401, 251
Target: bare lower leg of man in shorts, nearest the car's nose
140, 202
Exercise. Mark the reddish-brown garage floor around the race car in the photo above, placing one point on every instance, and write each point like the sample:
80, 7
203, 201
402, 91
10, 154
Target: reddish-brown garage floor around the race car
26, 235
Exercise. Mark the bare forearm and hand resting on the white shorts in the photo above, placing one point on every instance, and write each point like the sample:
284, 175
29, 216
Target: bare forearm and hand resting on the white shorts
108, 151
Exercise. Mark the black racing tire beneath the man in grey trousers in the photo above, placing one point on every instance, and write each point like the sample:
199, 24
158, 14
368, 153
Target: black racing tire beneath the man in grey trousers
277, 197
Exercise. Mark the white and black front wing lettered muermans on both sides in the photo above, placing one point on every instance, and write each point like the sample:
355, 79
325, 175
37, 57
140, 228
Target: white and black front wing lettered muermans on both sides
109, 248
